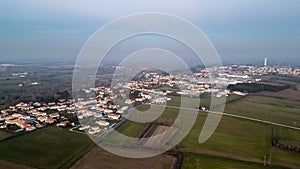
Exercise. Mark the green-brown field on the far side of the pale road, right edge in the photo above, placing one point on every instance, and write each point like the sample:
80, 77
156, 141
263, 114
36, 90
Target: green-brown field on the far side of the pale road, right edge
266, 108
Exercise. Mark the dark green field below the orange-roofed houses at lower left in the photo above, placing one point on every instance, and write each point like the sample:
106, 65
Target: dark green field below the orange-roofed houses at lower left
50, 147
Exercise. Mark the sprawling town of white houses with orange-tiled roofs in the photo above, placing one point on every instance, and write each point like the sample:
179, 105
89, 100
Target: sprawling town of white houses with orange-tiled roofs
102, 111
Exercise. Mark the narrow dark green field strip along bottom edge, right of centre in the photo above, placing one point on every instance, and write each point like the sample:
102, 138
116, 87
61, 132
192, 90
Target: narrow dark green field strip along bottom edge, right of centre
193, 161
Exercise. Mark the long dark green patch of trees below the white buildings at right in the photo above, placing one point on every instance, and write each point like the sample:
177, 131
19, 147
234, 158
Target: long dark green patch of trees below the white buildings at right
255, 87
